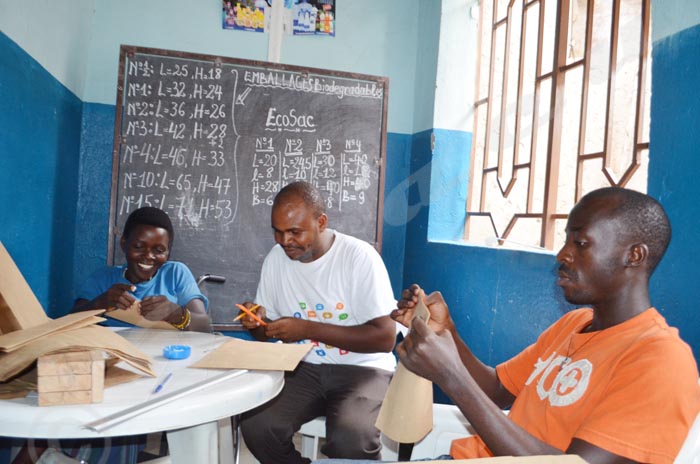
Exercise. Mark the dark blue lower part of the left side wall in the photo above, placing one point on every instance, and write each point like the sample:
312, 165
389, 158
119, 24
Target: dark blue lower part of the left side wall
39, 138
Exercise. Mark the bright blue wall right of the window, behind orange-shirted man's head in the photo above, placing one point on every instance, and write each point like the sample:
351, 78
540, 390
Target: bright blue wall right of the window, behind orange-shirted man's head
674, 163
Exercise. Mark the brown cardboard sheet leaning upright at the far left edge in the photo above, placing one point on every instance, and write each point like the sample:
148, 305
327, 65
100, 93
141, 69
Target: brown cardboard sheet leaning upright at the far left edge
19, 307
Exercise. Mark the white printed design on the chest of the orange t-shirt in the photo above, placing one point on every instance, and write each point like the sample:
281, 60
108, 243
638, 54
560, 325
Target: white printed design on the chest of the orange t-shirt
561, 381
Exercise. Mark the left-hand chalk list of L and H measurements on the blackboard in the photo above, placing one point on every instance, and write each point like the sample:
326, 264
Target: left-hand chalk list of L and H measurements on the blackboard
174, 141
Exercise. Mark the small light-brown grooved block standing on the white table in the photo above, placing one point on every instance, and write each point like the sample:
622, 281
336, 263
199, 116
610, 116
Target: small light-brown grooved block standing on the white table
75, 377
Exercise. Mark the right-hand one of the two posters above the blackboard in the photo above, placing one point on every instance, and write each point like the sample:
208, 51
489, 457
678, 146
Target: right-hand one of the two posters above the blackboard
310, 17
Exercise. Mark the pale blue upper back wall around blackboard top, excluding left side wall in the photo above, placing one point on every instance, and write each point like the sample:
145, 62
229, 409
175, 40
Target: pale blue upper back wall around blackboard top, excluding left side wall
372, 37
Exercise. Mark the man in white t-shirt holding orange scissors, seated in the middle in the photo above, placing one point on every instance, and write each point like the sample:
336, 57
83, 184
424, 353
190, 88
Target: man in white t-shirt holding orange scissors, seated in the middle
332, 290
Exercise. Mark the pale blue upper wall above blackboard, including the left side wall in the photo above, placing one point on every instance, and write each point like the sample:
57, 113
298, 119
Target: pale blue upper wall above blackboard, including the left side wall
78, 41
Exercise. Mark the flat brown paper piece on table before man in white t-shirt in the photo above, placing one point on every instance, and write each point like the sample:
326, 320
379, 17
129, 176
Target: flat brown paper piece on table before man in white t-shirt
263, 356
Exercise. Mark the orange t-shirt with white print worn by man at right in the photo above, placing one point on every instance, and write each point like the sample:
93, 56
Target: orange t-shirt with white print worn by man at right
631, 389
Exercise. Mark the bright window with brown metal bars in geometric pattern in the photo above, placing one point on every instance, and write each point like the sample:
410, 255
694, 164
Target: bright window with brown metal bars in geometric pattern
561, 108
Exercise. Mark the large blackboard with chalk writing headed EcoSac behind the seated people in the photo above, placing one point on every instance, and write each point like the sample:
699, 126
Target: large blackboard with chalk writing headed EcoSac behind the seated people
211, 140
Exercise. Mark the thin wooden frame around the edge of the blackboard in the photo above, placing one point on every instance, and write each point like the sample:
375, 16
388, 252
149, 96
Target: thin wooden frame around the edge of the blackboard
128, 52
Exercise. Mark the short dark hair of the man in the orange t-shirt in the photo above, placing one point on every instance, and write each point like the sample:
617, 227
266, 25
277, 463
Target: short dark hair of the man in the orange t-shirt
642, 219
